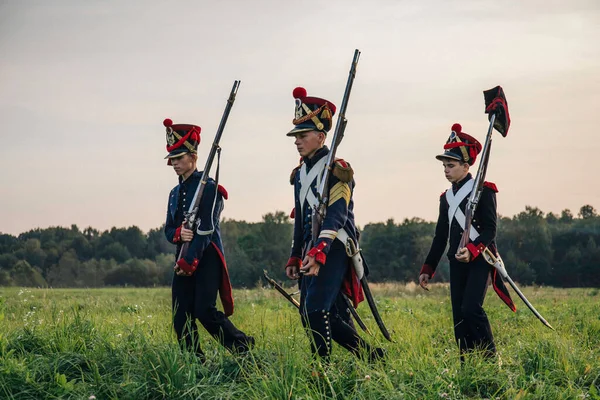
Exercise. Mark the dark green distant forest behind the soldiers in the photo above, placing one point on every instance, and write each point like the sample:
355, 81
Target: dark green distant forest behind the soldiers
537, 248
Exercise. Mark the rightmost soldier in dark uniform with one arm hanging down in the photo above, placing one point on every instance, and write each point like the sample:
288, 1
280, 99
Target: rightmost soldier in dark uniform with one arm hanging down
469, 272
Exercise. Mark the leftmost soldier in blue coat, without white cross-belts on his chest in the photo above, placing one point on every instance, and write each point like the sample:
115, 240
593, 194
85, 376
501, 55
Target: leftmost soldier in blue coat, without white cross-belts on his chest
202, 271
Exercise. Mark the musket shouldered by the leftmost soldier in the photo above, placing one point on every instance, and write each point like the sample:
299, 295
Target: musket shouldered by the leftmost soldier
191, 214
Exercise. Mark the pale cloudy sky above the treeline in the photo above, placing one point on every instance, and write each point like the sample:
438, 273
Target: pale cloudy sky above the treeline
85, 86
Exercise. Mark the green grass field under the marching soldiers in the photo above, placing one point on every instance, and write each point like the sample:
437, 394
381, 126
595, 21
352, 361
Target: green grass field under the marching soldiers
119, 344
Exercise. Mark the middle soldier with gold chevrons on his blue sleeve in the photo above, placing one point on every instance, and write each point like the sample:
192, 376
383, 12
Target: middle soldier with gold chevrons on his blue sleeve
325, 268
